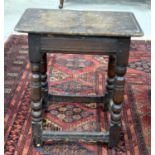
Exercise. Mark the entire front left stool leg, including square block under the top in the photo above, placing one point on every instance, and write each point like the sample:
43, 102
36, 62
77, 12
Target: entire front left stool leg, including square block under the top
36, 95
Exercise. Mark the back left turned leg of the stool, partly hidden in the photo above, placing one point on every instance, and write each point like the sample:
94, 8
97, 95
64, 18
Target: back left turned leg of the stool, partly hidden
44, 83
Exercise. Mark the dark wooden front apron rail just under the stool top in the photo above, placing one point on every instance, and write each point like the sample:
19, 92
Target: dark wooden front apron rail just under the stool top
79, 45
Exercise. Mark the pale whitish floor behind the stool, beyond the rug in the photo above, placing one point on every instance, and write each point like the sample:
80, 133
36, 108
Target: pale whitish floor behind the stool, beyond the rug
13, 10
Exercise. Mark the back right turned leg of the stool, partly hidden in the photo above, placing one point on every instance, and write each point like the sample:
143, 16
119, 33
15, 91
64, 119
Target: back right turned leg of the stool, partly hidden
110, 81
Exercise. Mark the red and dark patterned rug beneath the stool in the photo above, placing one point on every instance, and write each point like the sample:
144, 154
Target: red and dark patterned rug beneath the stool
82, 75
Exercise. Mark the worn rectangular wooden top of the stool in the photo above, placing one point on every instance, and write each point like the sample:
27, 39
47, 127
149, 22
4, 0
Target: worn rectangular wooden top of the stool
82, 23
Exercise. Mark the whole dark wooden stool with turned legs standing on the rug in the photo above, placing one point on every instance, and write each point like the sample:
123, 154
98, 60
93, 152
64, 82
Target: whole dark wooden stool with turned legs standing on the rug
78, 32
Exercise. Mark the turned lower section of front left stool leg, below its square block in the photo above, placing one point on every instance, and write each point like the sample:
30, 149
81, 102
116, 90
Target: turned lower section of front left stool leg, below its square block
36, 104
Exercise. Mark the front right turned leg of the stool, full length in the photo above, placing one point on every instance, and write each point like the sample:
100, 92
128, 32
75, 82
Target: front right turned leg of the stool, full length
118, 94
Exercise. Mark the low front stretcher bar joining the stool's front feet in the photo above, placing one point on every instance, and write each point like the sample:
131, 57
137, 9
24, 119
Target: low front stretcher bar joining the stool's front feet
76, 136
